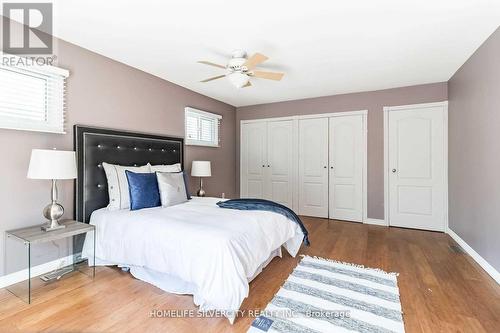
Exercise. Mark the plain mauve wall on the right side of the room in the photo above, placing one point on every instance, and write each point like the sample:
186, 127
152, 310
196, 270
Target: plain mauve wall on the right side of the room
474, 147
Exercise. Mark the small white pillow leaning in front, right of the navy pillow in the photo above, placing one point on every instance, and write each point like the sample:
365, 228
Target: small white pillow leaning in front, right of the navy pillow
172, 188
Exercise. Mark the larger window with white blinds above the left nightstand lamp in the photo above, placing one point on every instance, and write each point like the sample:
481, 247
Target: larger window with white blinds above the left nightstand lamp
32, 98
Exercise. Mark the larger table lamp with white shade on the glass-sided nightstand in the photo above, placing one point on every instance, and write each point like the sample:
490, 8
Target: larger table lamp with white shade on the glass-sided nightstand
53, 165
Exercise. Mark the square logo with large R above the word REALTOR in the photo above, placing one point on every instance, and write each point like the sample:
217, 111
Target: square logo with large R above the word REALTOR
33, 35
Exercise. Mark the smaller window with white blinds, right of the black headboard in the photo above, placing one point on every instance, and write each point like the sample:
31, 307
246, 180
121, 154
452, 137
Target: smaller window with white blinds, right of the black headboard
202, 128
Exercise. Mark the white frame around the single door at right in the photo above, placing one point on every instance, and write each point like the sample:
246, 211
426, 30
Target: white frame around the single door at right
388, 109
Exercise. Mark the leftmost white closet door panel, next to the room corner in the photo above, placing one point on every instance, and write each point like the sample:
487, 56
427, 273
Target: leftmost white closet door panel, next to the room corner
253, 159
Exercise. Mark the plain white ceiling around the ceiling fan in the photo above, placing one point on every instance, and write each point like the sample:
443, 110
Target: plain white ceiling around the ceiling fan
325, 47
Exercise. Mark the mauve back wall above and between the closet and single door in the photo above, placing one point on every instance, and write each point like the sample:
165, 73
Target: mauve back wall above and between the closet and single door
373, 101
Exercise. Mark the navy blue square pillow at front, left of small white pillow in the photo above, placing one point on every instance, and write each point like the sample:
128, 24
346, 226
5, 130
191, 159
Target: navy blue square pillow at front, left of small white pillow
143, 190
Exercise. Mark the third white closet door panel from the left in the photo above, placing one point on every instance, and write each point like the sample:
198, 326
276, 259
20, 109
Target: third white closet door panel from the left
313, 167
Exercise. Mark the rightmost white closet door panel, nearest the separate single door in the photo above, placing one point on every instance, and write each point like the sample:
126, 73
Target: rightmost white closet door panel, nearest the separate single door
346, 168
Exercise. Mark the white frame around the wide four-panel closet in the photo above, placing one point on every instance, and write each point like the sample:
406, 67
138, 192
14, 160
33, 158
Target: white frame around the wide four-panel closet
296, 119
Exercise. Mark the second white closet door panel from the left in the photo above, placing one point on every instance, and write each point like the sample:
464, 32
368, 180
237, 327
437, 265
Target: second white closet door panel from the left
279, 181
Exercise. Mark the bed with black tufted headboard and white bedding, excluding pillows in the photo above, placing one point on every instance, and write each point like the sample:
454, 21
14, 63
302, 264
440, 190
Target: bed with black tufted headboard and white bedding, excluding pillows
192, 248
